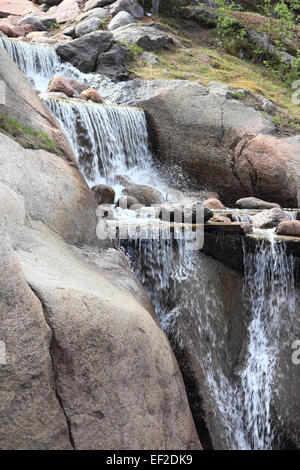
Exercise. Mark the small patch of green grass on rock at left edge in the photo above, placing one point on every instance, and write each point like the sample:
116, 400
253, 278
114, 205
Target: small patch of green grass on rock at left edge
27, 137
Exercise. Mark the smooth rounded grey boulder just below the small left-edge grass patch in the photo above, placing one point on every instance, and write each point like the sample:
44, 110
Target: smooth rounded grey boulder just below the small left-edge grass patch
54, 192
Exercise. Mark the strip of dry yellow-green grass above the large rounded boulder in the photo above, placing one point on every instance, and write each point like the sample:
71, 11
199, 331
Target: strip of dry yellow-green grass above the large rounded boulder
205, 64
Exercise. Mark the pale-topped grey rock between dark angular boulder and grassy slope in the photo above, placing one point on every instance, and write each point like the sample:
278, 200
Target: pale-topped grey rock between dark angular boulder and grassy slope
145, 36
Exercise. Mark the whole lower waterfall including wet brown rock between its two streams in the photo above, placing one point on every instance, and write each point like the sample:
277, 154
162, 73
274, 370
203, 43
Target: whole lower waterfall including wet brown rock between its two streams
229, 345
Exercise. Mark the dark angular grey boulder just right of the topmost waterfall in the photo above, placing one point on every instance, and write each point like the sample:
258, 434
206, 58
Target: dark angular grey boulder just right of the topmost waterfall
83, 52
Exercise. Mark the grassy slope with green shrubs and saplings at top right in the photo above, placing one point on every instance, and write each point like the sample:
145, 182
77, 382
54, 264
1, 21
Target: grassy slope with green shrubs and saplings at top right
222, 50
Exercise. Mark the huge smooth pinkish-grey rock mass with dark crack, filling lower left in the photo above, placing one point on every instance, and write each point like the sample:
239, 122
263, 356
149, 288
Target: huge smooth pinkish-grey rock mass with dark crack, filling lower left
82, 342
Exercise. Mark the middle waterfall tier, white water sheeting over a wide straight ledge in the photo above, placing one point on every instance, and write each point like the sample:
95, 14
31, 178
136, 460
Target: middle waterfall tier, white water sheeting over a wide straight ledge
107, 140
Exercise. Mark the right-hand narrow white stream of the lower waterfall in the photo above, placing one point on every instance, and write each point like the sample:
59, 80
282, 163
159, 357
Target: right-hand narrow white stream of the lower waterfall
270, 294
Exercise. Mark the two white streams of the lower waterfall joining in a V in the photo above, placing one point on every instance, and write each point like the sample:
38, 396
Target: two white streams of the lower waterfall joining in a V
241, 399
